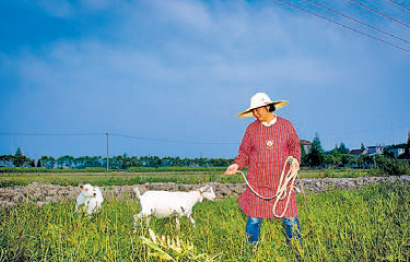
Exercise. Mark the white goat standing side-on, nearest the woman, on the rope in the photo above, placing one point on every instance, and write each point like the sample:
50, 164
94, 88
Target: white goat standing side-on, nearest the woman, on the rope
164, 203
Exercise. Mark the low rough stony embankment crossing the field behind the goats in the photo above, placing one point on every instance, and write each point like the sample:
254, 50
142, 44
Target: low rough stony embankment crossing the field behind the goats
41, 194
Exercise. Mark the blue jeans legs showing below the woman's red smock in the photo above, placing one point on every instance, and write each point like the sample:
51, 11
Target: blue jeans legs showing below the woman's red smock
253, 228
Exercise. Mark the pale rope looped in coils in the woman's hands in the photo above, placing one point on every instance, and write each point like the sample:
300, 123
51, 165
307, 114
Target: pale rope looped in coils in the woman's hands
282, 192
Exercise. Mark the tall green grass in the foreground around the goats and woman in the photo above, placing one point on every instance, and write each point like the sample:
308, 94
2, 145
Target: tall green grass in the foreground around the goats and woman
370, 224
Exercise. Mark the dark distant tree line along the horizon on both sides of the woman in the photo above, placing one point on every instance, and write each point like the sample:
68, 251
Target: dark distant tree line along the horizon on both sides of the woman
316, 158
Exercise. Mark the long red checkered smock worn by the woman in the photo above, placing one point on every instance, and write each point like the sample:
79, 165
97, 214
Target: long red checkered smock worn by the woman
264, 150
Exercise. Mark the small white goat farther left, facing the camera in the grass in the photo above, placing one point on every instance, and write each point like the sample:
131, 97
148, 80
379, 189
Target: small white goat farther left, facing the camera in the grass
91, 197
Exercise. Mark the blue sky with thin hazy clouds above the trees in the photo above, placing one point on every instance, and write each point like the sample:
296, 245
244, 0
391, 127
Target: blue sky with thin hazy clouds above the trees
167, 78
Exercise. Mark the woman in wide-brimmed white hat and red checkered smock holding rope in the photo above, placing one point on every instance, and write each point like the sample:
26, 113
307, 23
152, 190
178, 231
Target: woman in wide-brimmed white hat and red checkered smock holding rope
265, 146
